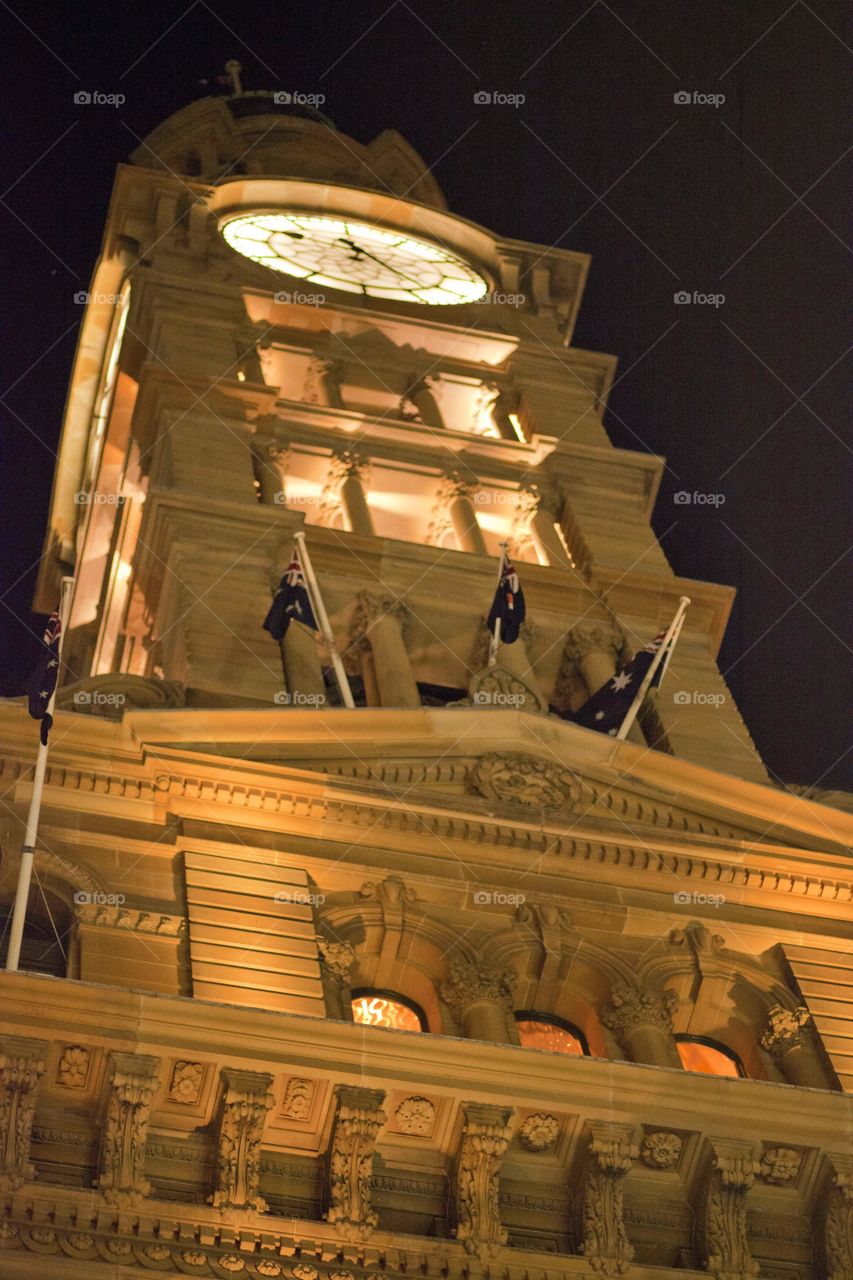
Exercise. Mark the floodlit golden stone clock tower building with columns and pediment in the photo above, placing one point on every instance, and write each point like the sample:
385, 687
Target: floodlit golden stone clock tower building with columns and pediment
441, 982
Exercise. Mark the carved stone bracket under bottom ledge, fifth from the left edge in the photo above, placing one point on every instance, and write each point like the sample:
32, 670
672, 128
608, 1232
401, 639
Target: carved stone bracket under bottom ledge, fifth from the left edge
486, 1136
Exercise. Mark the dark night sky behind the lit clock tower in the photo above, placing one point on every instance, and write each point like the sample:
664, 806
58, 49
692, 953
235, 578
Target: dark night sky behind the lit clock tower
745, 199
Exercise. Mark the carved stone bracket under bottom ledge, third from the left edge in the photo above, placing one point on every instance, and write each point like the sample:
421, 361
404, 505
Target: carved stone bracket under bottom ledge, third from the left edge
247, 1100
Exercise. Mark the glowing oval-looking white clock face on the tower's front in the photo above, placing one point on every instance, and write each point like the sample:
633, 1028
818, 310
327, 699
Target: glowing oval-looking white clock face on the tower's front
358, 258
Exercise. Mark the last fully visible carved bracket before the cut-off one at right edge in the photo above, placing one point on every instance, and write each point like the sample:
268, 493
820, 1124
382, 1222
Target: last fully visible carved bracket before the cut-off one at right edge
722, 1224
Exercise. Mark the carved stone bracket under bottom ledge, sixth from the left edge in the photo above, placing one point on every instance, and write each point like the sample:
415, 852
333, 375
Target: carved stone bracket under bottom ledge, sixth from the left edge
605, 1240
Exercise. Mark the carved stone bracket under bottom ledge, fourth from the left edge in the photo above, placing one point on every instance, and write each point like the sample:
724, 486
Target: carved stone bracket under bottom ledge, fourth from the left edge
358, 1121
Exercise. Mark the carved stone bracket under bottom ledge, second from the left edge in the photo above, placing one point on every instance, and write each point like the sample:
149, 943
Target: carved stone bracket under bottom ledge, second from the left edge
133, 1082
